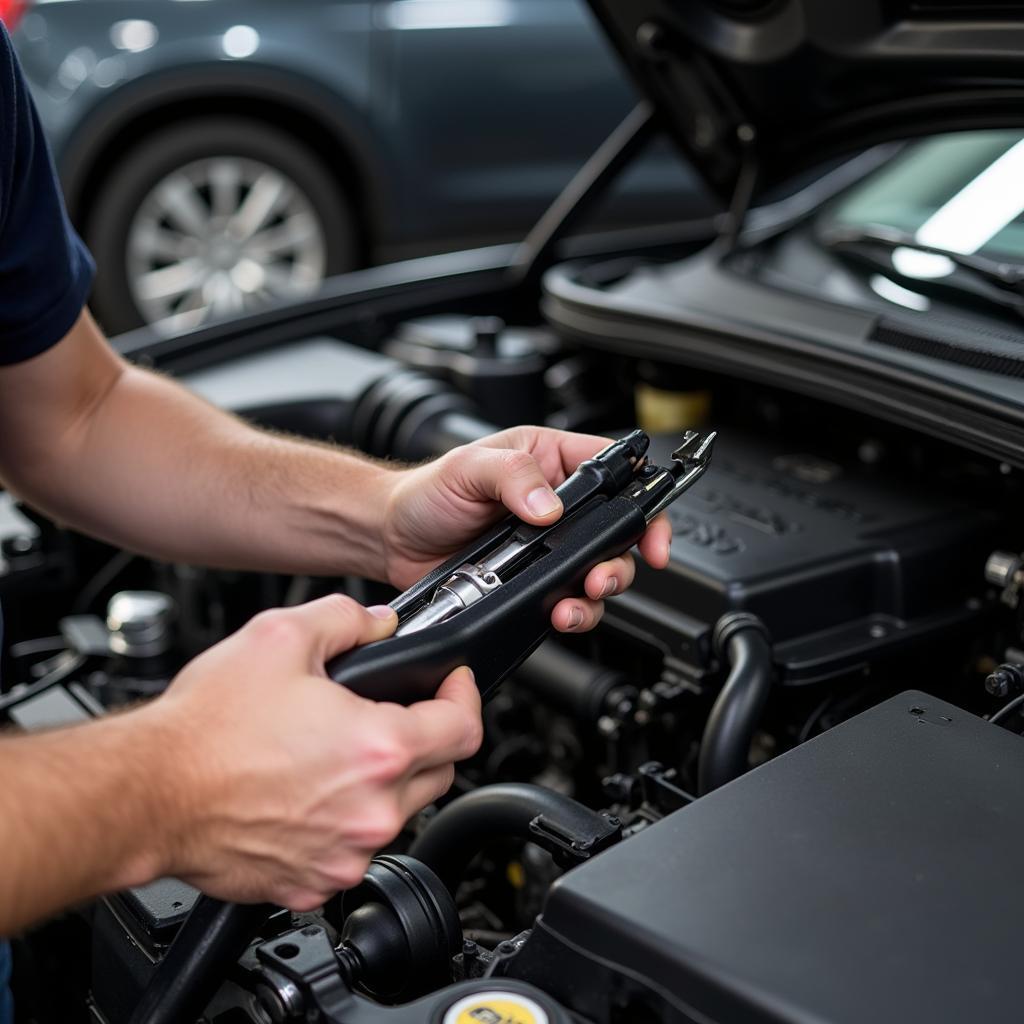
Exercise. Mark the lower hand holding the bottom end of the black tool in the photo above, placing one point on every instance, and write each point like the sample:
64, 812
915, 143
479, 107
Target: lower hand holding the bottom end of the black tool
285, 784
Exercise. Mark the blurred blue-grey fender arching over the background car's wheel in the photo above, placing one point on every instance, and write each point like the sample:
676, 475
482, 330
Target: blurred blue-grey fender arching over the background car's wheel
95, 98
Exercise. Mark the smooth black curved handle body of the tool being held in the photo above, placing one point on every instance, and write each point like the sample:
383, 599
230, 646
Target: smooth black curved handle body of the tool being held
499, 632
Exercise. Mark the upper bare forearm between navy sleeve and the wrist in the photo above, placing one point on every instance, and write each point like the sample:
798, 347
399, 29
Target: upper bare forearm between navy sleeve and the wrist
156, 470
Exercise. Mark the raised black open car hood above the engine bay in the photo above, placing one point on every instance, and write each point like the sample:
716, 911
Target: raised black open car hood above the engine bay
757, 91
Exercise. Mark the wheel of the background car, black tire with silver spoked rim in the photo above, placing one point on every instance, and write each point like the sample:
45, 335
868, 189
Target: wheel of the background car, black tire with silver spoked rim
130, 197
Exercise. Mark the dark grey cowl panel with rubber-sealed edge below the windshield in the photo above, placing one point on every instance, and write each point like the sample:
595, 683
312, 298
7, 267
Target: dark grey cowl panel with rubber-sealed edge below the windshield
702, 315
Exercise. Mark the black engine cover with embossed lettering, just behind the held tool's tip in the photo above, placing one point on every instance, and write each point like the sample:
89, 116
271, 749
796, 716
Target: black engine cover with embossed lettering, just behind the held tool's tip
841, 564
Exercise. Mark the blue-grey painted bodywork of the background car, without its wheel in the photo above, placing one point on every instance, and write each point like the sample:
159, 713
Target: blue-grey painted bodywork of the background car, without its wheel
447, 121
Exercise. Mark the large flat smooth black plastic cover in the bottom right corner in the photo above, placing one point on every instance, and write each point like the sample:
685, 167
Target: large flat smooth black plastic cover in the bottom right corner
870, 875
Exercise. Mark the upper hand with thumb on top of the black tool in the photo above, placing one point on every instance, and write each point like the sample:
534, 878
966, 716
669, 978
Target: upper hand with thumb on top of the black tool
437, 509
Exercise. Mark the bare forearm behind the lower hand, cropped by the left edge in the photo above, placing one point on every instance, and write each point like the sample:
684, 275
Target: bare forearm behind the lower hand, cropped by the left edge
82, 813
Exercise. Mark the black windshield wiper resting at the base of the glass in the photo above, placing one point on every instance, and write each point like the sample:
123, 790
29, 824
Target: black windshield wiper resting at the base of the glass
999, 281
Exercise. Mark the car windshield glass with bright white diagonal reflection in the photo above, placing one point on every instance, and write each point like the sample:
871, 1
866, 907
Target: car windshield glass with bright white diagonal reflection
962, 193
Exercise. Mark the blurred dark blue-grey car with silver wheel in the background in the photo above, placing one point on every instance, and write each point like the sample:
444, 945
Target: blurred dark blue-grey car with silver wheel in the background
219, 155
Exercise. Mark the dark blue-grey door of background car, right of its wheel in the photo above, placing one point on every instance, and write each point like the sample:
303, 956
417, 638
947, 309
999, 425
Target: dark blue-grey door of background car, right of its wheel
490, 108
